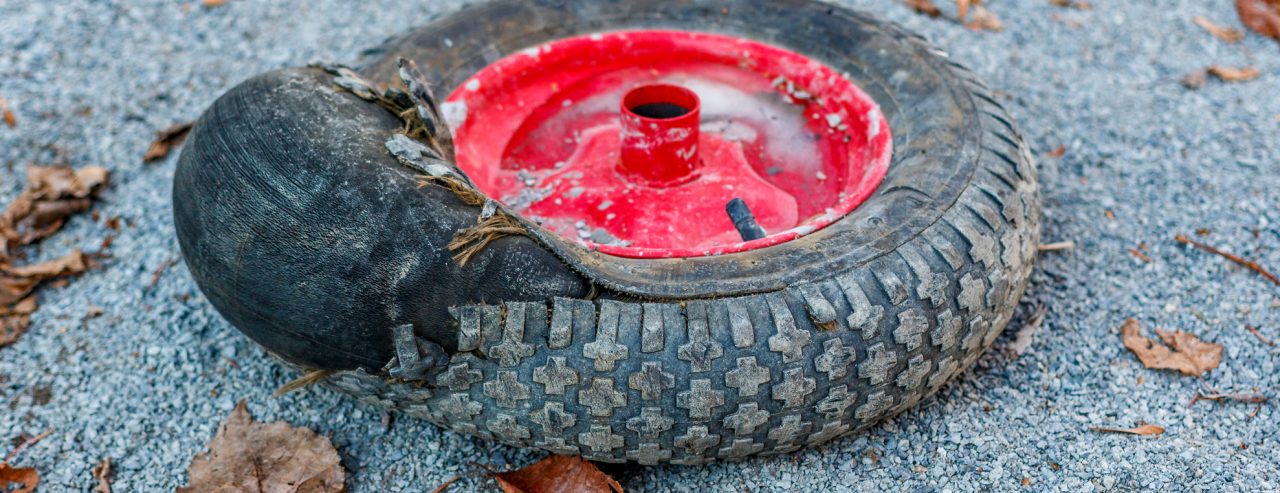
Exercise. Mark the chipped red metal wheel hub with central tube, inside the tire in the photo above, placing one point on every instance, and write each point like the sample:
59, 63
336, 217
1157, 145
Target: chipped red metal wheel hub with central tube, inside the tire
636, 143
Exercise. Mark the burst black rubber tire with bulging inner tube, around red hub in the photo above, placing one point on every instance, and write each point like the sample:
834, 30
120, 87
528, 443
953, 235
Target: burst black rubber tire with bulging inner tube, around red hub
313, 240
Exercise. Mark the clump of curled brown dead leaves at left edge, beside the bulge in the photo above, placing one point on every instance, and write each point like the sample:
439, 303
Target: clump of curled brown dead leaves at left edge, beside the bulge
53, 194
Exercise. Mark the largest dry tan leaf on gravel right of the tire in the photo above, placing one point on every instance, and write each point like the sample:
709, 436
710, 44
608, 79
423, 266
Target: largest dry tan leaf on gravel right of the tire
1185, 353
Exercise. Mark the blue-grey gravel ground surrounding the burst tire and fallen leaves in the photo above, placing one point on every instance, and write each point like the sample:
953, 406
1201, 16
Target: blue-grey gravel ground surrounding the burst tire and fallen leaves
149, 382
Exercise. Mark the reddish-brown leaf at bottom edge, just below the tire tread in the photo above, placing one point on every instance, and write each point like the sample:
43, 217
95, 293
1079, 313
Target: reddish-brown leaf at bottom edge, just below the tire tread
559, 474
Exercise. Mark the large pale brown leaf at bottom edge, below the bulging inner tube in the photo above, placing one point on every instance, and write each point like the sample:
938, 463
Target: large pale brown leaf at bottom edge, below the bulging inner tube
249, 457
